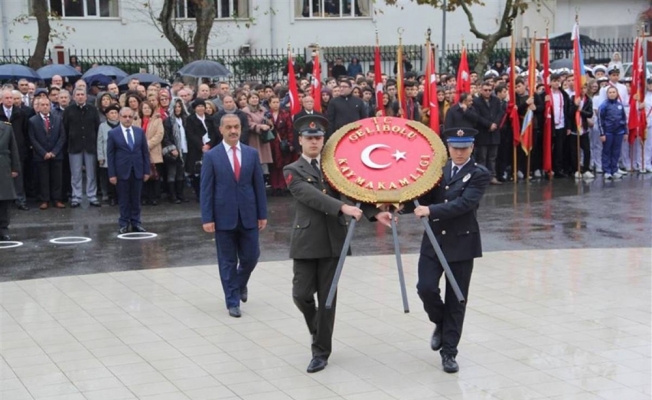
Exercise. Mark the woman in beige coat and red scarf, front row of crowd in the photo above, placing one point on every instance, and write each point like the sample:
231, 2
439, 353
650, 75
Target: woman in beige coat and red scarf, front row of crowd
152, 124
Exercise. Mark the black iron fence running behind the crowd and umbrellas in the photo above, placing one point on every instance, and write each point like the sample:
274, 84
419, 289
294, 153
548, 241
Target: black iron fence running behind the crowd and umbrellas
267, 65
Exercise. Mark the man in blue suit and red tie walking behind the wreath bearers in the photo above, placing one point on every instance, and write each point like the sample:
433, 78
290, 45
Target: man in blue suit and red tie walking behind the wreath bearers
234, 207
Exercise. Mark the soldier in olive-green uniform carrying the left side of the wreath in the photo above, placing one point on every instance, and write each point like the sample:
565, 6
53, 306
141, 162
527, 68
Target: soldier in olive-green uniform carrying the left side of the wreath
318, 236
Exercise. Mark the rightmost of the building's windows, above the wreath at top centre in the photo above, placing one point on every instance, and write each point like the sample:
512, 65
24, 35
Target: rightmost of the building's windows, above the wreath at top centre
331, 8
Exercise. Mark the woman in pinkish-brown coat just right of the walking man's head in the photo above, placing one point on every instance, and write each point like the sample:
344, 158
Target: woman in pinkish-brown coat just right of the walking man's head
259, 125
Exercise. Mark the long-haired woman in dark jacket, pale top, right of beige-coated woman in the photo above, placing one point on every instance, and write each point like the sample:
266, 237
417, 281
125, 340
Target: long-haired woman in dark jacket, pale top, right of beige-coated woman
175, 151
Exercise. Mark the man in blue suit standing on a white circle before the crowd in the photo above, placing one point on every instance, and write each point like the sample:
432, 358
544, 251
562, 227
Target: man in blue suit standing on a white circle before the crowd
127, 156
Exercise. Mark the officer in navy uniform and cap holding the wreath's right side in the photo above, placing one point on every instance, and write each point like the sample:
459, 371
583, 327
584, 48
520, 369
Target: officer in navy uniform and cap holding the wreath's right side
451, 209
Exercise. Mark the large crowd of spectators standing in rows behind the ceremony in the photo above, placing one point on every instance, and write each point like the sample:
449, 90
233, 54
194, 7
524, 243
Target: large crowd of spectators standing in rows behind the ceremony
61, 130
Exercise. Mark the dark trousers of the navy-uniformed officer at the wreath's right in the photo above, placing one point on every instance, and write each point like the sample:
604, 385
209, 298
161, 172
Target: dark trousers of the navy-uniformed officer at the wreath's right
448, 313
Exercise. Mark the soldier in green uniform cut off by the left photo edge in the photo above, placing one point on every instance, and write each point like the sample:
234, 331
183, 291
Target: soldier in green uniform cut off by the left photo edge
9, 169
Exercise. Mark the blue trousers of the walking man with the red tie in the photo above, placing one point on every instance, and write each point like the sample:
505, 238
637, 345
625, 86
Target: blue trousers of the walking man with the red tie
237, 256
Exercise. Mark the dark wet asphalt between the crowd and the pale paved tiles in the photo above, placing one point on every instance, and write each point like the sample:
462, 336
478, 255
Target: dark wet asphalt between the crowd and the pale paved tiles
540, 215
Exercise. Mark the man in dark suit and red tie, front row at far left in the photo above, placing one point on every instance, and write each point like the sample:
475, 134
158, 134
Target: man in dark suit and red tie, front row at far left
48, 137
